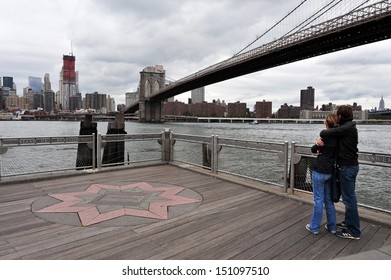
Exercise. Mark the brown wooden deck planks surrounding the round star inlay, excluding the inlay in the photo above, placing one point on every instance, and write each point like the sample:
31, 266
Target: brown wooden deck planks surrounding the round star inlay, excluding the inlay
232, 222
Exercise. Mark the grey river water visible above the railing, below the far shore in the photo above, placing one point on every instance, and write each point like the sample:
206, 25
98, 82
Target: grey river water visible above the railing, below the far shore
372, 138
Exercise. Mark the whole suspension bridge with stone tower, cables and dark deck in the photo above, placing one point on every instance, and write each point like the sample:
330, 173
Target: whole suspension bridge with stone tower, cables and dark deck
363, 23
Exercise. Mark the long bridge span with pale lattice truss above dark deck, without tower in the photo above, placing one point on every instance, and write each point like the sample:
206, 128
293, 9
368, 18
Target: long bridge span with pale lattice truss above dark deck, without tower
363, 26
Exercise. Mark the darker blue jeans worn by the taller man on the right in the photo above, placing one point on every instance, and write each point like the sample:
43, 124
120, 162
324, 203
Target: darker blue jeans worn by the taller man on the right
347, 177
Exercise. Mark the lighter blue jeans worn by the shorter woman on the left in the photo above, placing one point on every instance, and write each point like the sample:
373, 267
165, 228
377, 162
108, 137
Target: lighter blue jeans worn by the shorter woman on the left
322, 194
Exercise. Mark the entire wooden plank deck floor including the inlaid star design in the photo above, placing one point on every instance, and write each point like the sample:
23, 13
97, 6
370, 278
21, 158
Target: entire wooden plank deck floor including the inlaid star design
169, 212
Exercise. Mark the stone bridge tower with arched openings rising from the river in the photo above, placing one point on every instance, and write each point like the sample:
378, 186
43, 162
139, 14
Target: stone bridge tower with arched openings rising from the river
152, 79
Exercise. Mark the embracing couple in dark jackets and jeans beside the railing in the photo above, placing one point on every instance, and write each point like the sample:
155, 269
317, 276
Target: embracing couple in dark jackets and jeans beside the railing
338, 142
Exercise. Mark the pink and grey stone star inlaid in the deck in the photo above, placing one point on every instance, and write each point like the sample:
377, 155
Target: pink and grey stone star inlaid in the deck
100, 203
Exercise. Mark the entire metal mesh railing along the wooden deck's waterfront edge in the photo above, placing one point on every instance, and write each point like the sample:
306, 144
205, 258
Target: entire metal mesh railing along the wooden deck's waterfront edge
276, 164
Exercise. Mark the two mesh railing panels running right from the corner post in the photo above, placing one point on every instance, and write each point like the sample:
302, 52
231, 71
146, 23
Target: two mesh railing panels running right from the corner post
259, 161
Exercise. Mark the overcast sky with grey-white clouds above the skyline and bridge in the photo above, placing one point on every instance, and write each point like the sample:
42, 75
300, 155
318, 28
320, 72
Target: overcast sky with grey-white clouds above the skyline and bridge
114, 40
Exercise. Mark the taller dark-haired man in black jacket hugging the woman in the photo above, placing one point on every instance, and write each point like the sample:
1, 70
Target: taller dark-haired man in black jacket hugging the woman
347, 159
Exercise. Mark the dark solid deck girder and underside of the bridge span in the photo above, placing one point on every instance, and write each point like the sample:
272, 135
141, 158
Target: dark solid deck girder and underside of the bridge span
370, 31
